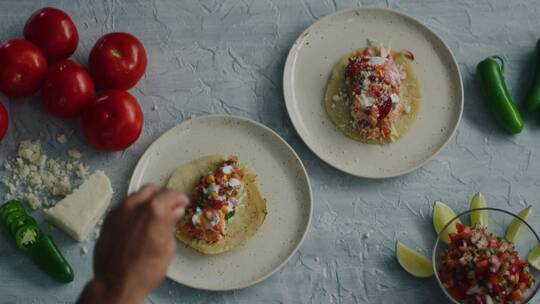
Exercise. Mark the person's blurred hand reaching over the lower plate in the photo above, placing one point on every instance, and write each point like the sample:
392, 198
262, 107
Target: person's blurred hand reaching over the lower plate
136, 246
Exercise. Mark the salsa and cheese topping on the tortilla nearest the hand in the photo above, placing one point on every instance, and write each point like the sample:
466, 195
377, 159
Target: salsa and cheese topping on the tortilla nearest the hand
215, 199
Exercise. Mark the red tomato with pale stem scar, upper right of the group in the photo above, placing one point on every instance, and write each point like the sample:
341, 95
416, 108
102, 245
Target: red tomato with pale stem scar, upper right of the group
117, 61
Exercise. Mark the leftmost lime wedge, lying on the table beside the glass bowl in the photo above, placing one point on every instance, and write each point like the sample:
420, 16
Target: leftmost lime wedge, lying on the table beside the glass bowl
413, 262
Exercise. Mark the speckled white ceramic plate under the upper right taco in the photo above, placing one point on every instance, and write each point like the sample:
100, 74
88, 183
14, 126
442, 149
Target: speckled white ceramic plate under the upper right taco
308, 67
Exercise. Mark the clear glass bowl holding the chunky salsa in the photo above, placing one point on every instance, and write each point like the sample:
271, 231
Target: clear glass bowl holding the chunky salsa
499, 220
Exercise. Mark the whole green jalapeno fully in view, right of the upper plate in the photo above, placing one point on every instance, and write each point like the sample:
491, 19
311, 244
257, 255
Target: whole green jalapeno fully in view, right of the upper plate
496, 94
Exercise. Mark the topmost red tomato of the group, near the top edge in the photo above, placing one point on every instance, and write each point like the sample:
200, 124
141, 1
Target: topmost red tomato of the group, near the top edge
53, 31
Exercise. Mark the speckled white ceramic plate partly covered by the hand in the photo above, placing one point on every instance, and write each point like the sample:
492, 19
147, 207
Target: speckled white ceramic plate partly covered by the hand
282, 179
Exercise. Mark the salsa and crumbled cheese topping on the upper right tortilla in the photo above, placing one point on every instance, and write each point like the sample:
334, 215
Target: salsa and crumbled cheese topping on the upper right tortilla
372, 88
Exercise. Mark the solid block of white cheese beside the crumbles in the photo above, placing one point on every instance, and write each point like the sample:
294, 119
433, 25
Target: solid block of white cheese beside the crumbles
78, 213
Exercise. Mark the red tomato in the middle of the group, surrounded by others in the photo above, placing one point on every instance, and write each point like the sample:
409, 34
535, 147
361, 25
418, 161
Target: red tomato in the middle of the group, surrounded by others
67, 89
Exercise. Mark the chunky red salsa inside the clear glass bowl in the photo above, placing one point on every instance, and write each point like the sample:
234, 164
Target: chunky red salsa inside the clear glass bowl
480, 268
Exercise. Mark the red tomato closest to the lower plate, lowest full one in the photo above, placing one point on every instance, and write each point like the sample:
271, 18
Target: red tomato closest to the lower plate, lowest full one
113, 121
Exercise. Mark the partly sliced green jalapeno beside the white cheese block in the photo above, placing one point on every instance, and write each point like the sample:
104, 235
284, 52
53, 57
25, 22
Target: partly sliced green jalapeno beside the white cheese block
29, 238
